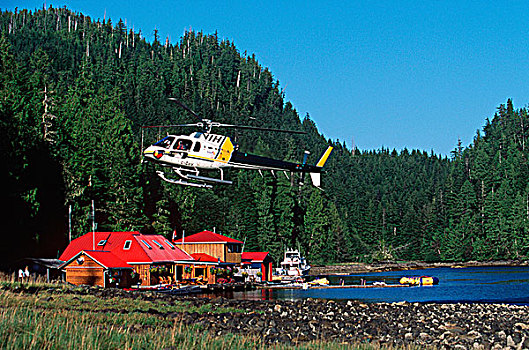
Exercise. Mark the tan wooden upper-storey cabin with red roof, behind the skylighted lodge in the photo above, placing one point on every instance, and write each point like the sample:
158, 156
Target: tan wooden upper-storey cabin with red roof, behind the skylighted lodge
218, 246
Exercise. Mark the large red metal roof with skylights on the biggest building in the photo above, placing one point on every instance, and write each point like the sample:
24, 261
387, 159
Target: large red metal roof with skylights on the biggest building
140, 248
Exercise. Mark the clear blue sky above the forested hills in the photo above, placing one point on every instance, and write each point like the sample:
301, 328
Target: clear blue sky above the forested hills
393, 74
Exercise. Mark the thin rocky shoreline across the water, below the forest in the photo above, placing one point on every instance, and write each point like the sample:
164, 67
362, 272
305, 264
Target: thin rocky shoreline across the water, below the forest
357, 268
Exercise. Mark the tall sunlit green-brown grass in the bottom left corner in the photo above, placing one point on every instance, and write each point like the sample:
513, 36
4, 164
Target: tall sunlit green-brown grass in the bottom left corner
27, 322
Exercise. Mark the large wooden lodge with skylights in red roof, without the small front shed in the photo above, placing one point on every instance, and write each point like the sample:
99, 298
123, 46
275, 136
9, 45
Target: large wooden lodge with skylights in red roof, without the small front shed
153, 258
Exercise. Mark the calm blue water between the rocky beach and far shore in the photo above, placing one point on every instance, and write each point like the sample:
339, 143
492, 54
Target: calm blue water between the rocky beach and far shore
474, 284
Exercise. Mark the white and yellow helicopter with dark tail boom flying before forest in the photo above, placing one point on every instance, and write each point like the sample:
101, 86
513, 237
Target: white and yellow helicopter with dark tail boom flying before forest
188, 155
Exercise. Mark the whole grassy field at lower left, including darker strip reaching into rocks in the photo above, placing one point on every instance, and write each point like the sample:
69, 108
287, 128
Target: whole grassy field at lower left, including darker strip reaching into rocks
36, 315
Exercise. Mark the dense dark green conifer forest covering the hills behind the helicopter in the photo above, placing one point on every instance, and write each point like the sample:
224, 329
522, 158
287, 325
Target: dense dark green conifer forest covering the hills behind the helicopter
75, 92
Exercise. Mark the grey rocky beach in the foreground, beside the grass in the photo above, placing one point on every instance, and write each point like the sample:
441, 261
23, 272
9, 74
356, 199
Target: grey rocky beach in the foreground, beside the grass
451, 326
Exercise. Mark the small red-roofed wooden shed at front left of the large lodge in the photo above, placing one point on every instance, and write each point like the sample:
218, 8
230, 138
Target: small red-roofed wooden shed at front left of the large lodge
98, 268
